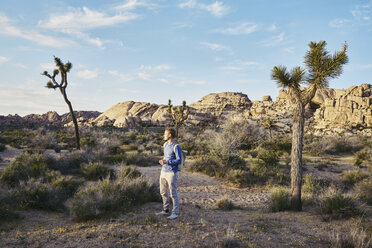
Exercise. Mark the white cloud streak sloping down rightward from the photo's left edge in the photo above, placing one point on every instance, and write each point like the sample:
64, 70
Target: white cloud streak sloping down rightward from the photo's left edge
6, 28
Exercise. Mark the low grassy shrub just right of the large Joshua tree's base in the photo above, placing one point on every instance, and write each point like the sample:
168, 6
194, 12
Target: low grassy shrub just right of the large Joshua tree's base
333, 204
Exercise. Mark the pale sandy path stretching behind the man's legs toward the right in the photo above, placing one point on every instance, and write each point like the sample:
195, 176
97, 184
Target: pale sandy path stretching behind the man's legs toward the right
204, 191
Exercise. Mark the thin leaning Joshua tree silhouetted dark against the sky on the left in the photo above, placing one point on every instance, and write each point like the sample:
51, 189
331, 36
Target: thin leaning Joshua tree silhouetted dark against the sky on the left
63, 69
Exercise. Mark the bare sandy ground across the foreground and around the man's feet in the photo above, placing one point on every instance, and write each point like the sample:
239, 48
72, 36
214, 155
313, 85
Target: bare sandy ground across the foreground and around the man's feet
200, 224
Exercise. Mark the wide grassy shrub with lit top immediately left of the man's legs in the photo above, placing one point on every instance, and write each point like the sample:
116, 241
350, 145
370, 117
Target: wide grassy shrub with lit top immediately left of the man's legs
108, 197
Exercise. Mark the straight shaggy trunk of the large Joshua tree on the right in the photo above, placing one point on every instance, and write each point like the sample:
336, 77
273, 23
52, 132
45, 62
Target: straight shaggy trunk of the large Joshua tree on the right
296, 155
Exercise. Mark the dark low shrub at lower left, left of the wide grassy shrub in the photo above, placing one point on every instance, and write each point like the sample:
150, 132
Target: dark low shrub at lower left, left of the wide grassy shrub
34, 194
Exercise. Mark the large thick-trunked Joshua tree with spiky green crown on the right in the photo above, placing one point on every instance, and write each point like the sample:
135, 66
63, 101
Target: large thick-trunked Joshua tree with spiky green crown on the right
321, 66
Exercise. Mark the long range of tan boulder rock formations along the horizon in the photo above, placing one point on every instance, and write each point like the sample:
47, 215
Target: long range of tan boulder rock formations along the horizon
329, 110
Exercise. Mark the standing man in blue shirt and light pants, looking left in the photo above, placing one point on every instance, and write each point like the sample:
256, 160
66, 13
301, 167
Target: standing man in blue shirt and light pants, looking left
169, 174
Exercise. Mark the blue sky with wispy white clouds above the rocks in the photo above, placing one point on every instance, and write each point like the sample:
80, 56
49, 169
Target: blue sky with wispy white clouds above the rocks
155, 50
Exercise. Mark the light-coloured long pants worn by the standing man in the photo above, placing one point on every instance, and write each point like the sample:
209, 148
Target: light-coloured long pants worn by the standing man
168, 189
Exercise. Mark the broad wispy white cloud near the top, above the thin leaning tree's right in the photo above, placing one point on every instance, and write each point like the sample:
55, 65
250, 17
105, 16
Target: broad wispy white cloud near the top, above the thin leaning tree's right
84, 18
